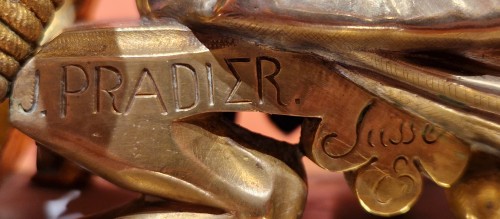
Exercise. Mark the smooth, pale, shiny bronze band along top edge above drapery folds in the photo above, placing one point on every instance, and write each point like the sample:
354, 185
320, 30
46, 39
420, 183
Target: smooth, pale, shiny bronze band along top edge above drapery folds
389, 13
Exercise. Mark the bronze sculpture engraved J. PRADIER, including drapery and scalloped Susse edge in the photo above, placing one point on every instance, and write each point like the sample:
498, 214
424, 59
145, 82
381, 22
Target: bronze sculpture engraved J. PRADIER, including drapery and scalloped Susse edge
381, 100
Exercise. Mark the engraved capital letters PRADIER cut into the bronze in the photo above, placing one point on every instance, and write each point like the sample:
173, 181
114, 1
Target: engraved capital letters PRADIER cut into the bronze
107, 82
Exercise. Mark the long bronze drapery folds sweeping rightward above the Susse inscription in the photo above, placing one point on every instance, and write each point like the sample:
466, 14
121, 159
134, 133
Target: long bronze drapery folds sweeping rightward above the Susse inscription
441, 74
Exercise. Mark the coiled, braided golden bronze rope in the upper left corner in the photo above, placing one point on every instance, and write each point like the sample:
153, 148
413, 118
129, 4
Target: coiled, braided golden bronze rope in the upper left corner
22, 23
